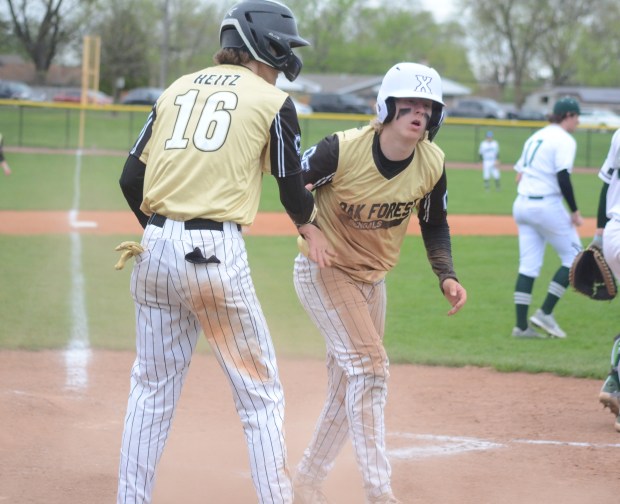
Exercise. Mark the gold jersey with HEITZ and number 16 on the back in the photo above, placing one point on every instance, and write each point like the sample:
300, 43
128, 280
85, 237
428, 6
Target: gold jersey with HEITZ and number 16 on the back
208, 141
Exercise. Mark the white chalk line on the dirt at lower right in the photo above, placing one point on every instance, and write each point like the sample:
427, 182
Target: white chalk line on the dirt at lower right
417, 446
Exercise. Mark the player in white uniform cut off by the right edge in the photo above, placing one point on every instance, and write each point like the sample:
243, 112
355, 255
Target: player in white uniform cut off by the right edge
608, 239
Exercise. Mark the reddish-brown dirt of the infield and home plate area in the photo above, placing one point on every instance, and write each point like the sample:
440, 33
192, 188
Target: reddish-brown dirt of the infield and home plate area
466, 436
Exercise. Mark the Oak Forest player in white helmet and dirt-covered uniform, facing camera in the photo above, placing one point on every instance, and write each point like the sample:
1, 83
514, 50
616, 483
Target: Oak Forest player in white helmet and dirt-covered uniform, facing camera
368, 182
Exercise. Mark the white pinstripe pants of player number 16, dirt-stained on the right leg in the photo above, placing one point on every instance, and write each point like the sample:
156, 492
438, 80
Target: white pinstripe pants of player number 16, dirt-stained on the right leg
174, 301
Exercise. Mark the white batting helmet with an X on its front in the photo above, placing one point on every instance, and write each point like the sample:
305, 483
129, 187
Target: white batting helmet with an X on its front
411, 80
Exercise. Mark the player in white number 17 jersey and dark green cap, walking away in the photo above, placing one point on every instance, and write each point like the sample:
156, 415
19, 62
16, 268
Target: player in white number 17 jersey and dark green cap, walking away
543, 175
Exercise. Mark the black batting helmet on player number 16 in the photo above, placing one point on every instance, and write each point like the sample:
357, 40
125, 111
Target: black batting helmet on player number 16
267, 30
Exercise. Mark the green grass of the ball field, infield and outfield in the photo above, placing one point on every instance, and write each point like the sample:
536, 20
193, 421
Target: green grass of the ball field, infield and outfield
38, 273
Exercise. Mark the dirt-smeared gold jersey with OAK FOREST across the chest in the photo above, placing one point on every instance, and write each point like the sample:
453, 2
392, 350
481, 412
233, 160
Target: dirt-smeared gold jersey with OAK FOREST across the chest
364, 207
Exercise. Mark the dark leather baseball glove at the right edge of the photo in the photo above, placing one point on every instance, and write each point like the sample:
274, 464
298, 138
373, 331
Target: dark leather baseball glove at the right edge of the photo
590, 275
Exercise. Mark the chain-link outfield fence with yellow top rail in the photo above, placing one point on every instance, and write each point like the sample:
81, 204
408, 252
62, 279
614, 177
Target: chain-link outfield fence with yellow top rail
27, 124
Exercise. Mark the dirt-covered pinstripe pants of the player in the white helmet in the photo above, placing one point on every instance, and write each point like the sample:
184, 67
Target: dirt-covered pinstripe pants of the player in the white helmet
351, 317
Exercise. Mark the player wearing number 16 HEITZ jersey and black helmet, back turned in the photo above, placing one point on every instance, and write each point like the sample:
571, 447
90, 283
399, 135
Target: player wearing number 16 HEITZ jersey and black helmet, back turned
193, 179
